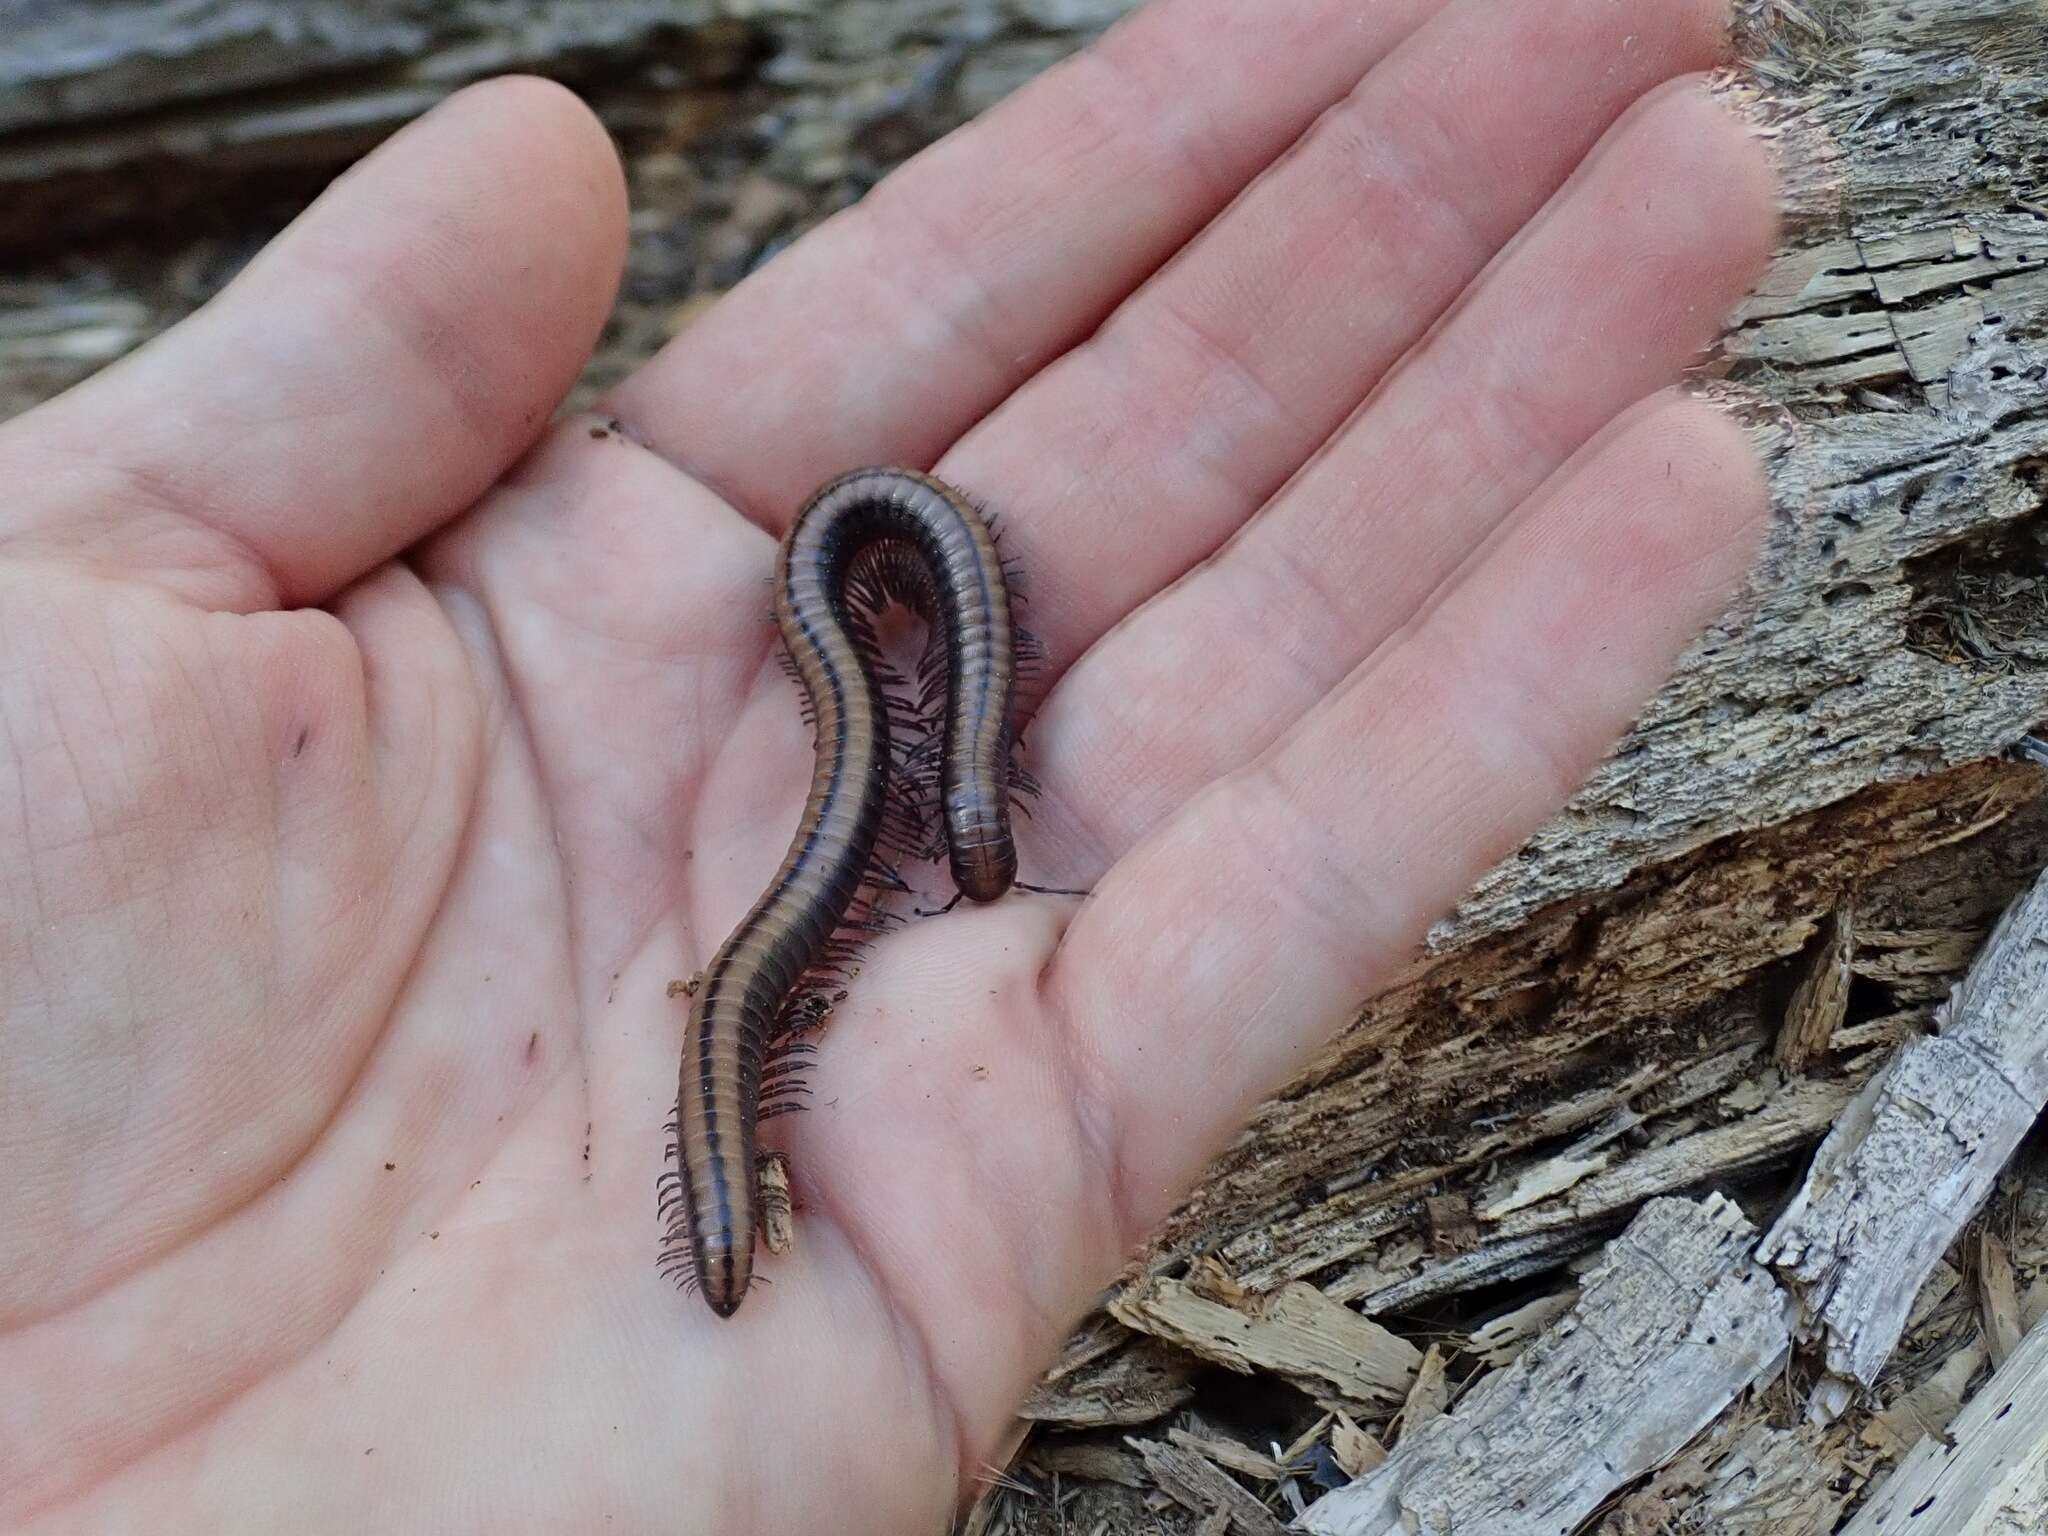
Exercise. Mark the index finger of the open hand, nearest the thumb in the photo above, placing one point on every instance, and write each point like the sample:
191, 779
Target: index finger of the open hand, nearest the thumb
902, 323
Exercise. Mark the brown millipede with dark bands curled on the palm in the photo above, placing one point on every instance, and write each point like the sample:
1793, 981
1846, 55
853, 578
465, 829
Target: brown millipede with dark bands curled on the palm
861, 542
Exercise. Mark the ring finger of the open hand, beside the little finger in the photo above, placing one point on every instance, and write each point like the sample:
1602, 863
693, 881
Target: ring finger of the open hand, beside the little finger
1668, 224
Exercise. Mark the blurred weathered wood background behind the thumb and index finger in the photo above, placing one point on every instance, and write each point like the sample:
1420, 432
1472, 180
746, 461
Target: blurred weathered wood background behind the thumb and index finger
196, 128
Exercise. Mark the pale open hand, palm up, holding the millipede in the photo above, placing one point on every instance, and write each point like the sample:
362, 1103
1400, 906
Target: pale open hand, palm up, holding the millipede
378, 751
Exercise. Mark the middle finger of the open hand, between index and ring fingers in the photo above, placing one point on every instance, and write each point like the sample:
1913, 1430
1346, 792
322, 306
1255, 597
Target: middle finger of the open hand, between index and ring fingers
1232, 366
